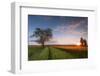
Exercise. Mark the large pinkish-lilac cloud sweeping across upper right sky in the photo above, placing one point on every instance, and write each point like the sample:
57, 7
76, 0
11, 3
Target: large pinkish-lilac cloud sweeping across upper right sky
71, 29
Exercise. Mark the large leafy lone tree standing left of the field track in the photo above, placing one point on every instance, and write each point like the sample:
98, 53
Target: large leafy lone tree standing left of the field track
42, 35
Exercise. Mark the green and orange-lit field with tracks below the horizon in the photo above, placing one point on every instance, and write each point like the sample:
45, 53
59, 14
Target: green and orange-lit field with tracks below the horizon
52, 52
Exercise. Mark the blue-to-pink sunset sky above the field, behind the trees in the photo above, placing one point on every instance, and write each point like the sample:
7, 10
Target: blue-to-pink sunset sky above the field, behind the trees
67, 30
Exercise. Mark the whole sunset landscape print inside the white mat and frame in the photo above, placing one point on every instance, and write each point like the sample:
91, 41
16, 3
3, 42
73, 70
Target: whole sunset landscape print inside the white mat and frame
57, 37
